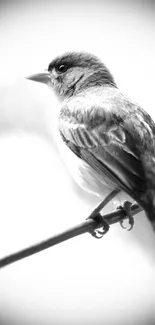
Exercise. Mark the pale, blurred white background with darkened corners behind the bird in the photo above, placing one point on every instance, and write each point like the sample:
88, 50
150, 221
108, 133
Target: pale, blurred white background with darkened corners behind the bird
81, 281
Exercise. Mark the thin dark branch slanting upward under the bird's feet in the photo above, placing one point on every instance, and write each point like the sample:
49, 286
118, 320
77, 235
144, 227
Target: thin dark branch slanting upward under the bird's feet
87, 226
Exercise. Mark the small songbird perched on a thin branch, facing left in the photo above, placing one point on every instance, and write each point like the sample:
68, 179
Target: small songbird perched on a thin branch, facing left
108, 139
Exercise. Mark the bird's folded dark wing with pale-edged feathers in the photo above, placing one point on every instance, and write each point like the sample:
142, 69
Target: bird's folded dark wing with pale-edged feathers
111, 153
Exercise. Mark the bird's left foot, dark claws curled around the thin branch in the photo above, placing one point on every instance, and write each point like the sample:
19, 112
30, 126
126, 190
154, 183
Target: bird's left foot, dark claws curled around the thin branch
104, 228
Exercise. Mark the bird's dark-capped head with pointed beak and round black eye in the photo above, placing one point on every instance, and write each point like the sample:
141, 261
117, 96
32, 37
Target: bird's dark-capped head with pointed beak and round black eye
73, 72
